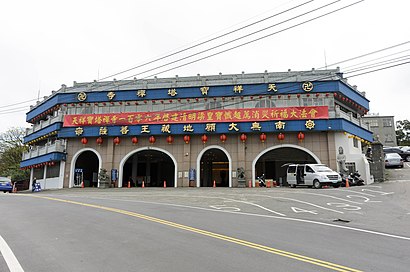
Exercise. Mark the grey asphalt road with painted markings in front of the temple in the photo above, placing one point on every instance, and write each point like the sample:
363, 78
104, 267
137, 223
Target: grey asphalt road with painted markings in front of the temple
211, 229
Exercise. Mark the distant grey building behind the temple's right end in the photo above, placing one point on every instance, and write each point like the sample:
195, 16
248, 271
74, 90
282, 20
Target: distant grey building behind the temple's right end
383, 129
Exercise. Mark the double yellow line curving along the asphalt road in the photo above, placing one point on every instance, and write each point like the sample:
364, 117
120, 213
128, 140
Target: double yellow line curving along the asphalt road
271, 250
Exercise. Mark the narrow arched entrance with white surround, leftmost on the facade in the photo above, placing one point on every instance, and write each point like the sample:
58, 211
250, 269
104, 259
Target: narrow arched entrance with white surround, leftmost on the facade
85, 169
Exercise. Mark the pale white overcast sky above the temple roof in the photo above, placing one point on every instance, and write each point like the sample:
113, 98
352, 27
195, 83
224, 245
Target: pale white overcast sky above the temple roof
44, 44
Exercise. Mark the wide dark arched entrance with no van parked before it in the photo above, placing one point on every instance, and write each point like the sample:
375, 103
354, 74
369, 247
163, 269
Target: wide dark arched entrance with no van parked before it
148, 165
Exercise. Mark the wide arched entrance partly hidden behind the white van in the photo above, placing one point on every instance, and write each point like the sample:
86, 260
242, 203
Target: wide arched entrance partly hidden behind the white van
271, 161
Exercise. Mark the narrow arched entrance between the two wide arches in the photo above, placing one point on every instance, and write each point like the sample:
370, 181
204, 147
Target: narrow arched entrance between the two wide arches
214, 165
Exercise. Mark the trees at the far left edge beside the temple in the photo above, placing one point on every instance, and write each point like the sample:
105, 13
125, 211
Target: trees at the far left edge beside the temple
11, 151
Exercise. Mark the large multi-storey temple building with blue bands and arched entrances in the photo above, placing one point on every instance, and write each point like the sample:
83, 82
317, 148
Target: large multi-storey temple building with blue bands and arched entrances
196, 131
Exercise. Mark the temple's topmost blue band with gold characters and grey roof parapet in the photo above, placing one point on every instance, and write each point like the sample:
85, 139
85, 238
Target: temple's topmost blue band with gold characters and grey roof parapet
183, 89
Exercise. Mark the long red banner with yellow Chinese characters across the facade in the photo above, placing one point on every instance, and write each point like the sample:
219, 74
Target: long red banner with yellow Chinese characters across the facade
197, 116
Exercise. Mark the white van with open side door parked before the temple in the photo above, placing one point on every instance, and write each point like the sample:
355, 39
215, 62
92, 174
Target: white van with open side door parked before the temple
315, 175
